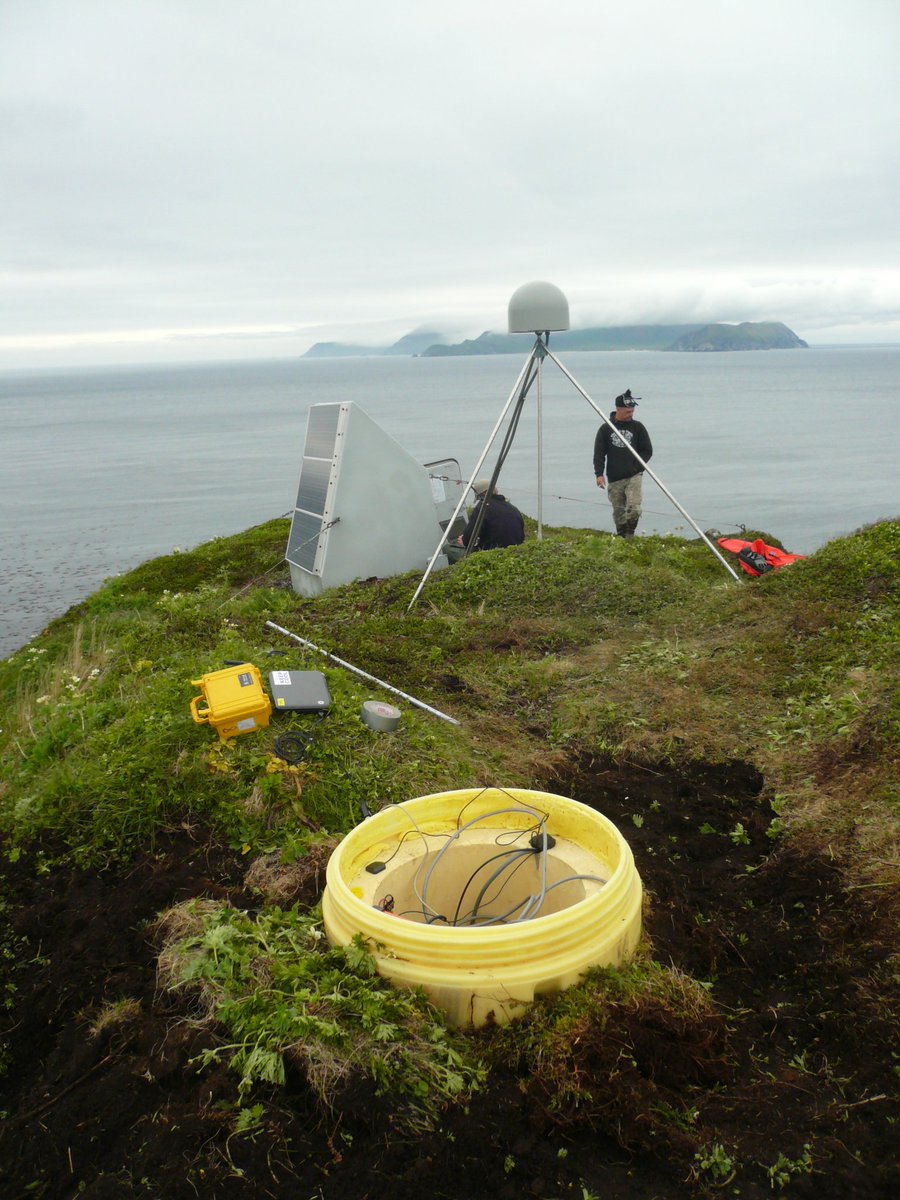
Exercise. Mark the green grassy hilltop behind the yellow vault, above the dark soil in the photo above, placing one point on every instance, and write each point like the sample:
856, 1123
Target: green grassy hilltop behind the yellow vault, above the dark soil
574, 643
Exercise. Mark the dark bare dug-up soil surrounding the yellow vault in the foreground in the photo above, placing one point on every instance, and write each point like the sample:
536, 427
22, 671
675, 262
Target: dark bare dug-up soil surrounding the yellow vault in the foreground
802, 1057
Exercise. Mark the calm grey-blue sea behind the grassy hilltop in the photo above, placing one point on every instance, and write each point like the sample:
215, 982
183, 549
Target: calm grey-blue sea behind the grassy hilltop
107, 469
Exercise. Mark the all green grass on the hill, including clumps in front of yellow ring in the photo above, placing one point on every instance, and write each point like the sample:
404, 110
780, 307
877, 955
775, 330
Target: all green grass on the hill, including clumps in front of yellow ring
578, 644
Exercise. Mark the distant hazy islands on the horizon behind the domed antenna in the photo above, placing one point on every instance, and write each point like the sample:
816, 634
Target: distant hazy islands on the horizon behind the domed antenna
766, 335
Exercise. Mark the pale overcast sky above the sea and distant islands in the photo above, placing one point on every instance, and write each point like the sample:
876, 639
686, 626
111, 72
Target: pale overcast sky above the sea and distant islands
211, 179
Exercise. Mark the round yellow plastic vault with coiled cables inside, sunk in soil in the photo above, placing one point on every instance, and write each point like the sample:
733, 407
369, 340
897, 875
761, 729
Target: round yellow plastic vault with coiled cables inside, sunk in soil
485, 898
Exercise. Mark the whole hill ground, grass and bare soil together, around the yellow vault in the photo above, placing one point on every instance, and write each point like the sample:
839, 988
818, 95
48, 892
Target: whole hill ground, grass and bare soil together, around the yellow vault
743, 737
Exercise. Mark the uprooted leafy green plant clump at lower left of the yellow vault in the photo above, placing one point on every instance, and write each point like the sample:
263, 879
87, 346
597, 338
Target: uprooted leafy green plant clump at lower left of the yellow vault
284, 995
